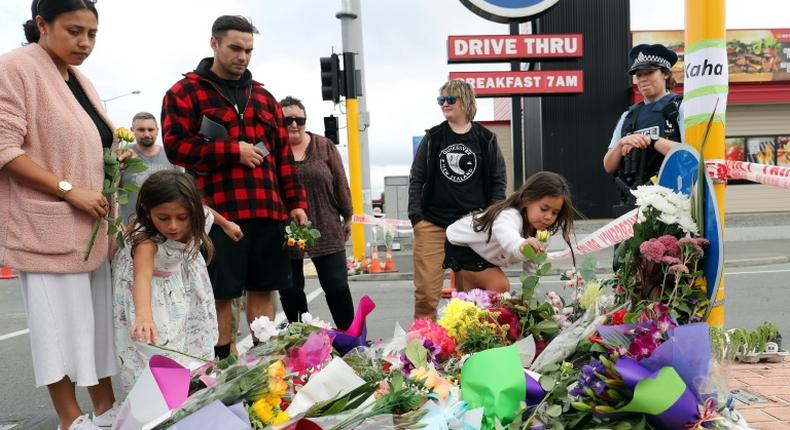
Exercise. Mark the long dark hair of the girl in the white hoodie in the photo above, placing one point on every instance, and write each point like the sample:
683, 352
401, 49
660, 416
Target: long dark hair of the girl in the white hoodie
537, 186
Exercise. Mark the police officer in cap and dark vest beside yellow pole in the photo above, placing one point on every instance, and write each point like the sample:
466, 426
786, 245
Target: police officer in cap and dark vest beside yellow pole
648, 130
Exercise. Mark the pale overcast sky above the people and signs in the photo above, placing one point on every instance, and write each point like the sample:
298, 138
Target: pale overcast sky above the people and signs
147, 44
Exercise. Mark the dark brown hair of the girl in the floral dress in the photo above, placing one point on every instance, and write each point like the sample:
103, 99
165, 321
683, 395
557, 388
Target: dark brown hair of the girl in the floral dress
167, 186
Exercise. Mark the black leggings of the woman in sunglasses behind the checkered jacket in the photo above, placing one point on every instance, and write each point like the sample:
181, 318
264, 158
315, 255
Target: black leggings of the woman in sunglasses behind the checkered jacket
333, 276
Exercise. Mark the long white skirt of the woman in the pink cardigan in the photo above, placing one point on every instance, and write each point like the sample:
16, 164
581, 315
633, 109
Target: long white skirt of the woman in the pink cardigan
71, 326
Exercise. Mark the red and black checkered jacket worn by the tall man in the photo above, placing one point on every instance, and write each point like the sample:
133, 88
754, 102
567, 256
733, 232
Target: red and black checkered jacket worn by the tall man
234, 190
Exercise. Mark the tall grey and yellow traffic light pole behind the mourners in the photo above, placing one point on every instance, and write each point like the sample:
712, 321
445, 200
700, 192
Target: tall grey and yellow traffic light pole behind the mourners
350, 16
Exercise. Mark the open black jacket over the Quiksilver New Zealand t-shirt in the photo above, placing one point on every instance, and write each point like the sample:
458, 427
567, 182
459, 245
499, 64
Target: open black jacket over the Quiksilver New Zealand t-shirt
423, 169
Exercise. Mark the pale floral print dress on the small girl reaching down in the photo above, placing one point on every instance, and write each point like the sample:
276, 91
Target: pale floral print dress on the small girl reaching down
182, 303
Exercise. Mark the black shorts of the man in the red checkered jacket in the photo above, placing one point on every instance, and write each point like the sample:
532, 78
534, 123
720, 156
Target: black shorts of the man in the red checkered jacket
257, 262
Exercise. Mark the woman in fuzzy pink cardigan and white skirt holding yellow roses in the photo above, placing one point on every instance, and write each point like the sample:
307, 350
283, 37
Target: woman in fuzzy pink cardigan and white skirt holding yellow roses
51, 172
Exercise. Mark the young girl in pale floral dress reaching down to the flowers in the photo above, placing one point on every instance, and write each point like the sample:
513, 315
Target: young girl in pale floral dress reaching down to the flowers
162, 291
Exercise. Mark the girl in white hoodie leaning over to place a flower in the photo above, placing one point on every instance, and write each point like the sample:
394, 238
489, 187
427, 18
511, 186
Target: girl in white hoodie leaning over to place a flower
478, 246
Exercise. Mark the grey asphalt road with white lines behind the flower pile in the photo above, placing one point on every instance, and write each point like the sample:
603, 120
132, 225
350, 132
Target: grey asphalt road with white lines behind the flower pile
754, 294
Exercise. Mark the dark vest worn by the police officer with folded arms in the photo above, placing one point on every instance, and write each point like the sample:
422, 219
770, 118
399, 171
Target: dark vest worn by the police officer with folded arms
655, 119
